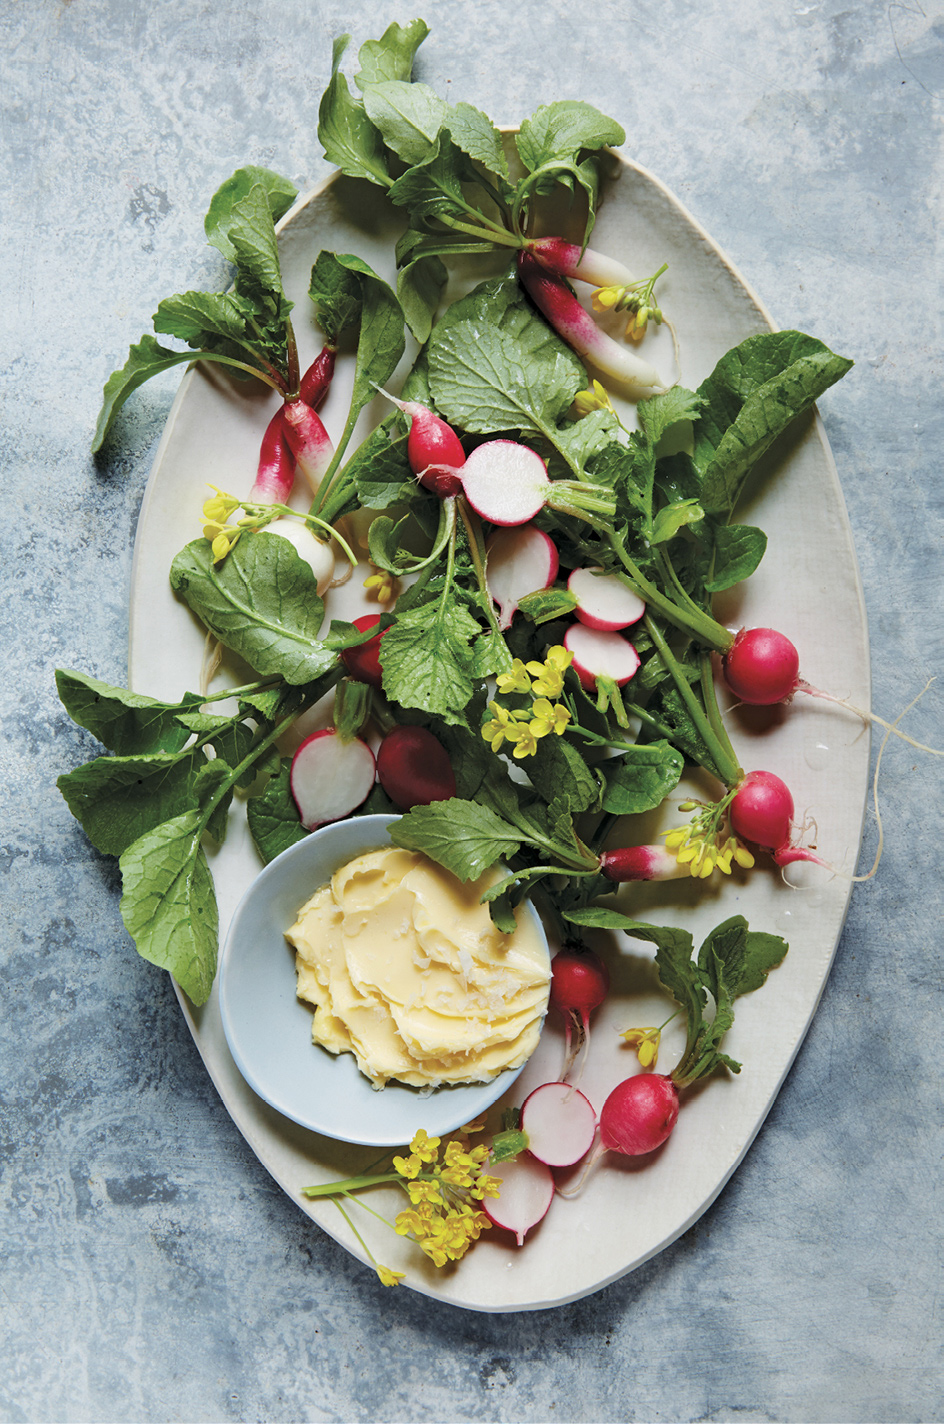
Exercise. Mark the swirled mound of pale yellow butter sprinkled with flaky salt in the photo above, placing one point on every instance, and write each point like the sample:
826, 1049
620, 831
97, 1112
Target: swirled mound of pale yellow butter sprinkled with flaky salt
408, 972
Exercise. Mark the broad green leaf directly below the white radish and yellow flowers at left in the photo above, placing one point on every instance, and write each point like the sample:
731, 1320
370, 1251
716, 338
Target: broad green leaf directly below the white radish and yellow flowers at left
261, 602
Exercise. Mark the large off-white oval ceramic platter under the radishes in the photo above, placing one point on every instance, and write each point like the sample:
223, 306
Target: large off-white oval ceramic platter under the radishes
808, 586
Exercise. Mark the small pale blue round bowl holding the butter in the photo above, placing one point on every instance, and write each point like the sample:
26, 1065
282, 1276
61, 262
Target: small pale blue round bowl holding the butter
270, 1030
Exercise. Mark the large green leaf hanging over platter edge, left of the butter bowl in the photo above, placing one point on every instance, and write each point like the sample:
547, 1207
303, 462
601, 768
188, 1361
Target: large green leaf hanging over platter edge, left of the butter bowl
169, 904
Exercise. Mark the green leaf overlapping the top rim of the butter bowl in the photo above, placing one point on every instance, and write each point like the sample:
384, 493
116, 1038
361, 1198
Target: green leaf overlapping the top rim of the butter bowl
463, 837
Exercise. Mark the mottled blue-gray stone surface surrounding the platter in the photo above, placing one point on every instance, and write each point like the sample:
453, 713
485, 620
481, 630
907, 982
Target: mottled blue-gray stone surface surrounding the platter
152, 1269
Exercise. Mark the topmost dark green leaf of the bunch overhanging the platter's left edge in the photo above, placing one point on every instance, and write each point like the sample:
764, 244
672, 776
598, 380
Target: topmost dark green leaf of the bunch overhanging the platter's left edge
126, 723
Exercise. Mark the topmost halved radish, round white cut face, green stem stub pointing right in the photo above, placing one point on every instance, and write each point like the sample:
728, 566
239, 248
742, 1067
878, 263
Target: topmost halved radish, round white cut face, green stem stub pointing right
507, 485
